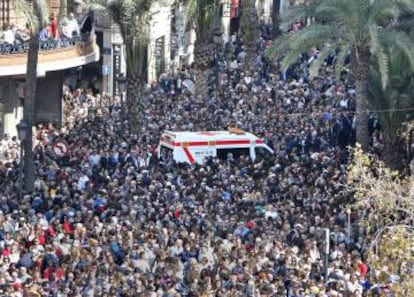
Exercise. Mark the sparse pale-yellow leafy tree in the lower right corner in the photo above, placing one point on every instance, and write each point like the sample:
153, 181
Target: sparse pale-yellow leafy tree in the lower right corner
386, 214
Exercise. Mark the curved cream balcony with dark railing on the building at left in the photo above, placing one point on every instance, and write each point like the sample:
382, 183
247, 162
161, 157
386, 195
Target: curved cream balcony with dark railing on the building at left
53, 55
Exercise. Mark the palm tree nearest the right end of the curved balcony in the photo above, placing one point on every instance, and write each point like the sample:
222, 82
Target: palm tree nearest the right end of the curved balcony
133, 19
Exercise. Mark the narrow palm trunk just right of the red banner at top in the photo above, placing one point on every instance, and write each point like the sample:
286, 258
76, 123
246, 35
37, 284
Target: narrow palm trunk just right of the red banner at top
250, 29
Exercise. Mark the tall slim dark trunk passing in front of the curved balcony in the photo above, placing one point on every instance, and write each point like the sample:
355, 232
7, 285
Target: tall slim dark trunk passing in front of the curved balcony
30, 100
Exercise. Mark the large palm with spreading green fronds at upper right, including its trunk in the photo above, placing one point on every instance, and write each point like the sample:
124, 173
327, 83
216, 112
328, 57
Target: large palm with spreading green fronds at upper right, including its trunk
361, 28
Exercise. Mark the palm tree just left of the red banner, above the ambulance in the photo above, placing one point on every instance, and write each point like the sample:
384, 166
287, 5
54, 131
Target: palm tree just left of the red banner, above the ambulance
201, 16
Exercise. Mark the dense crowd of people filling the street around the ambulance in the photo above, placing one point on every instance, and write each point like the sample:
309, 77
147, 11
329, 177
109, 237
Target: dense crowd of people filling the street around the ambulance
110, 219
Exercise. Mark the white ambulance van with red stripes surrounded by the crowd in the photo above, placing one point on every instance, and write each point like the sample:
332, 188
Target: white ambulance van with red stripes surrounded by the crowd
195, 147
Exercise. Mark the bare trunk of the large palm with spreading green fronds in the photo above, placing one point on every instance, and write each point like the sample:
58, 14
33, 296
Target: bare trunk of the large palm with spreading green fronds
362, 103
